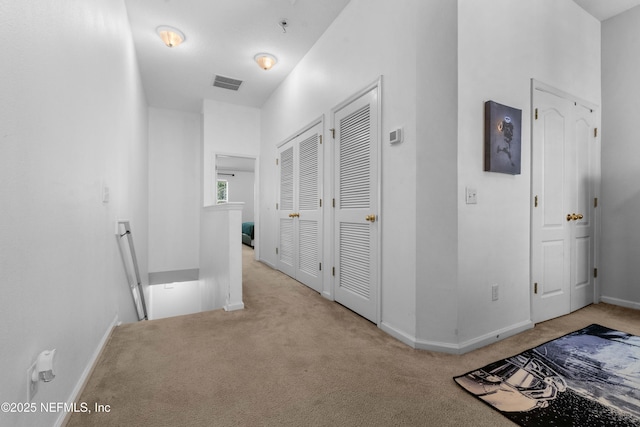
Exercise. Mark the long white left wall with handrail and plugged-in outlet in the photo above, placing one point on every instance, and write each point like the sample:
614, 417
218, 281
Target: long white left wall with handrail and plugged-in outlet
73, 117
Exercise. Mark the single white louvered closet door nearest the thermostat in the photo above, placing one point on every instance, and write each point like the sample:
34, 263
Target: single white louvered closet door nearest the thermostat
356, 191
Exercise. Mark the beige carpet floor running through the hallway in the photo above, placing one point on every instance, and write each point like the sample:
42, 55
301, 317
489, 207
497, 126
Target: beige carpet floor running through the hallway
293, 358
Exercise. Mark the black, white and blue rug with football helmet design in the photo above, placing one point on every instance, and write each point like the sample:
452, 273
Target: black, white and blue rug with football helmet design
589, 377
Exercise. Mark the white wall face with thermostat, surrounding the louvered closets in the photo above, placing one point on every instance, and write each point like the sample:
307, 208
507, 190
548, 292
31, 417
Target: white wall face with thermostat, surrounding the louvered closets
368, 39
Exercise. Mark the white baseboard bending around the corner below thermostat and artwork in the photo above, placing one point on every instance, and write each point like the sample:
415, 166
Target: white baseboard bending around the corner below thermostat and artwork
454, 348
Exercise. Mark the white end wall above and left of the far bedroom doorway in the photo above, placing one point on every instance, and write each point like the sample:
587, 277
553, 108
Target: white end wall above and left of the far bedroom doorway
227, 129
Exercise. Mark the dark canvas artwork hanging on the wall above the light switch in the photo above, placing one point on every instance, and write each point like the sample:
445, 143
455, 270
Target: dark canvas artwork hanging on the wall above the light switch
502, 139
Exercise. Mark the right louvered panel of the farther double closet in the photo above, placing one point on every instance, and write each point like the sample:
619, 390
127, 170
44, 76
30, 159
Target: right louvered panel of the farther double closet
308, 198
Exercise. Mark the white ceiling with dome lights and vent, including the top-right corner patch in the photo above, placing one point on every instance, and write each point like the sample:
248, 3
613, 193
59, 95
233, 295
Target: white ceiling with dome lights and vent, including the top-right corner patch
223, 36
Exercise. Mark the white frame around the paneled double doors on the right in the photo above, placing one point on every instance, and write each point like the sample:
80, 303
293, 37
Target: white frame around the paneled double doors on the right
537, 85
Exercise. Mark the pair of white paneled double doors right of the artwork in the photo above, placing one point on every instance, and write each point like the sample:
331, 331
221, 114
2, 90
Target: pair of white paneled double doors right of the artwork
565, 168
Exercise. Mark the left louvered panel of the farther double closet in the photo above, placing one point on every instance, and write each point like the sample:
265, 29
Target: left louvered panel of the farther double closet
286, 257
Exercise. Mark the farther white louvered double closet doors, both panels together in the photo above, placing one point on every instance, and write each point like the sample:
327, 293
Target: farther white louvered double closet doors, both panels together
300, 208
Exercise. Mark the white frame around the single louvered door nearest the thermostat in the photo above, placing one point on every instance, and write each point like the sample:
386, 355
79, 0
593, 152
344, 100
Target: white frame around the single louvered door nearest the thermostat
330, 293
